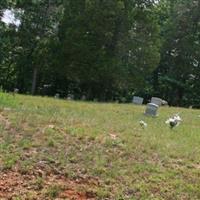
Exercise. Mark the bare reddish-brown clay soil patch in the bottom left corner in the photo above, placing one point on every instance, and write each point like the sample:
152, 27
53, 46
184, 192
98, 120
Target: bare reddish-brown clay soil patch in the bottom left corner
13, 184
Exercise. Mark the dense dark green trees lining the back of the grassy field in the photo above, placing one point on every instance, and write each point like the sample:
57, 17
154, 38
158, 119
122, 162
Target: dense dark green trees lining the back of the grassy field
105, 50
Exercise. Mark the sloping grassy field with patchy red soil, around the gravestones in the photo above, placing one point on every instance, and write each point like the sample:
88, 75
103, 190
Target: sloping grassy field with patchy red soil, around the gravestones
56, 149
